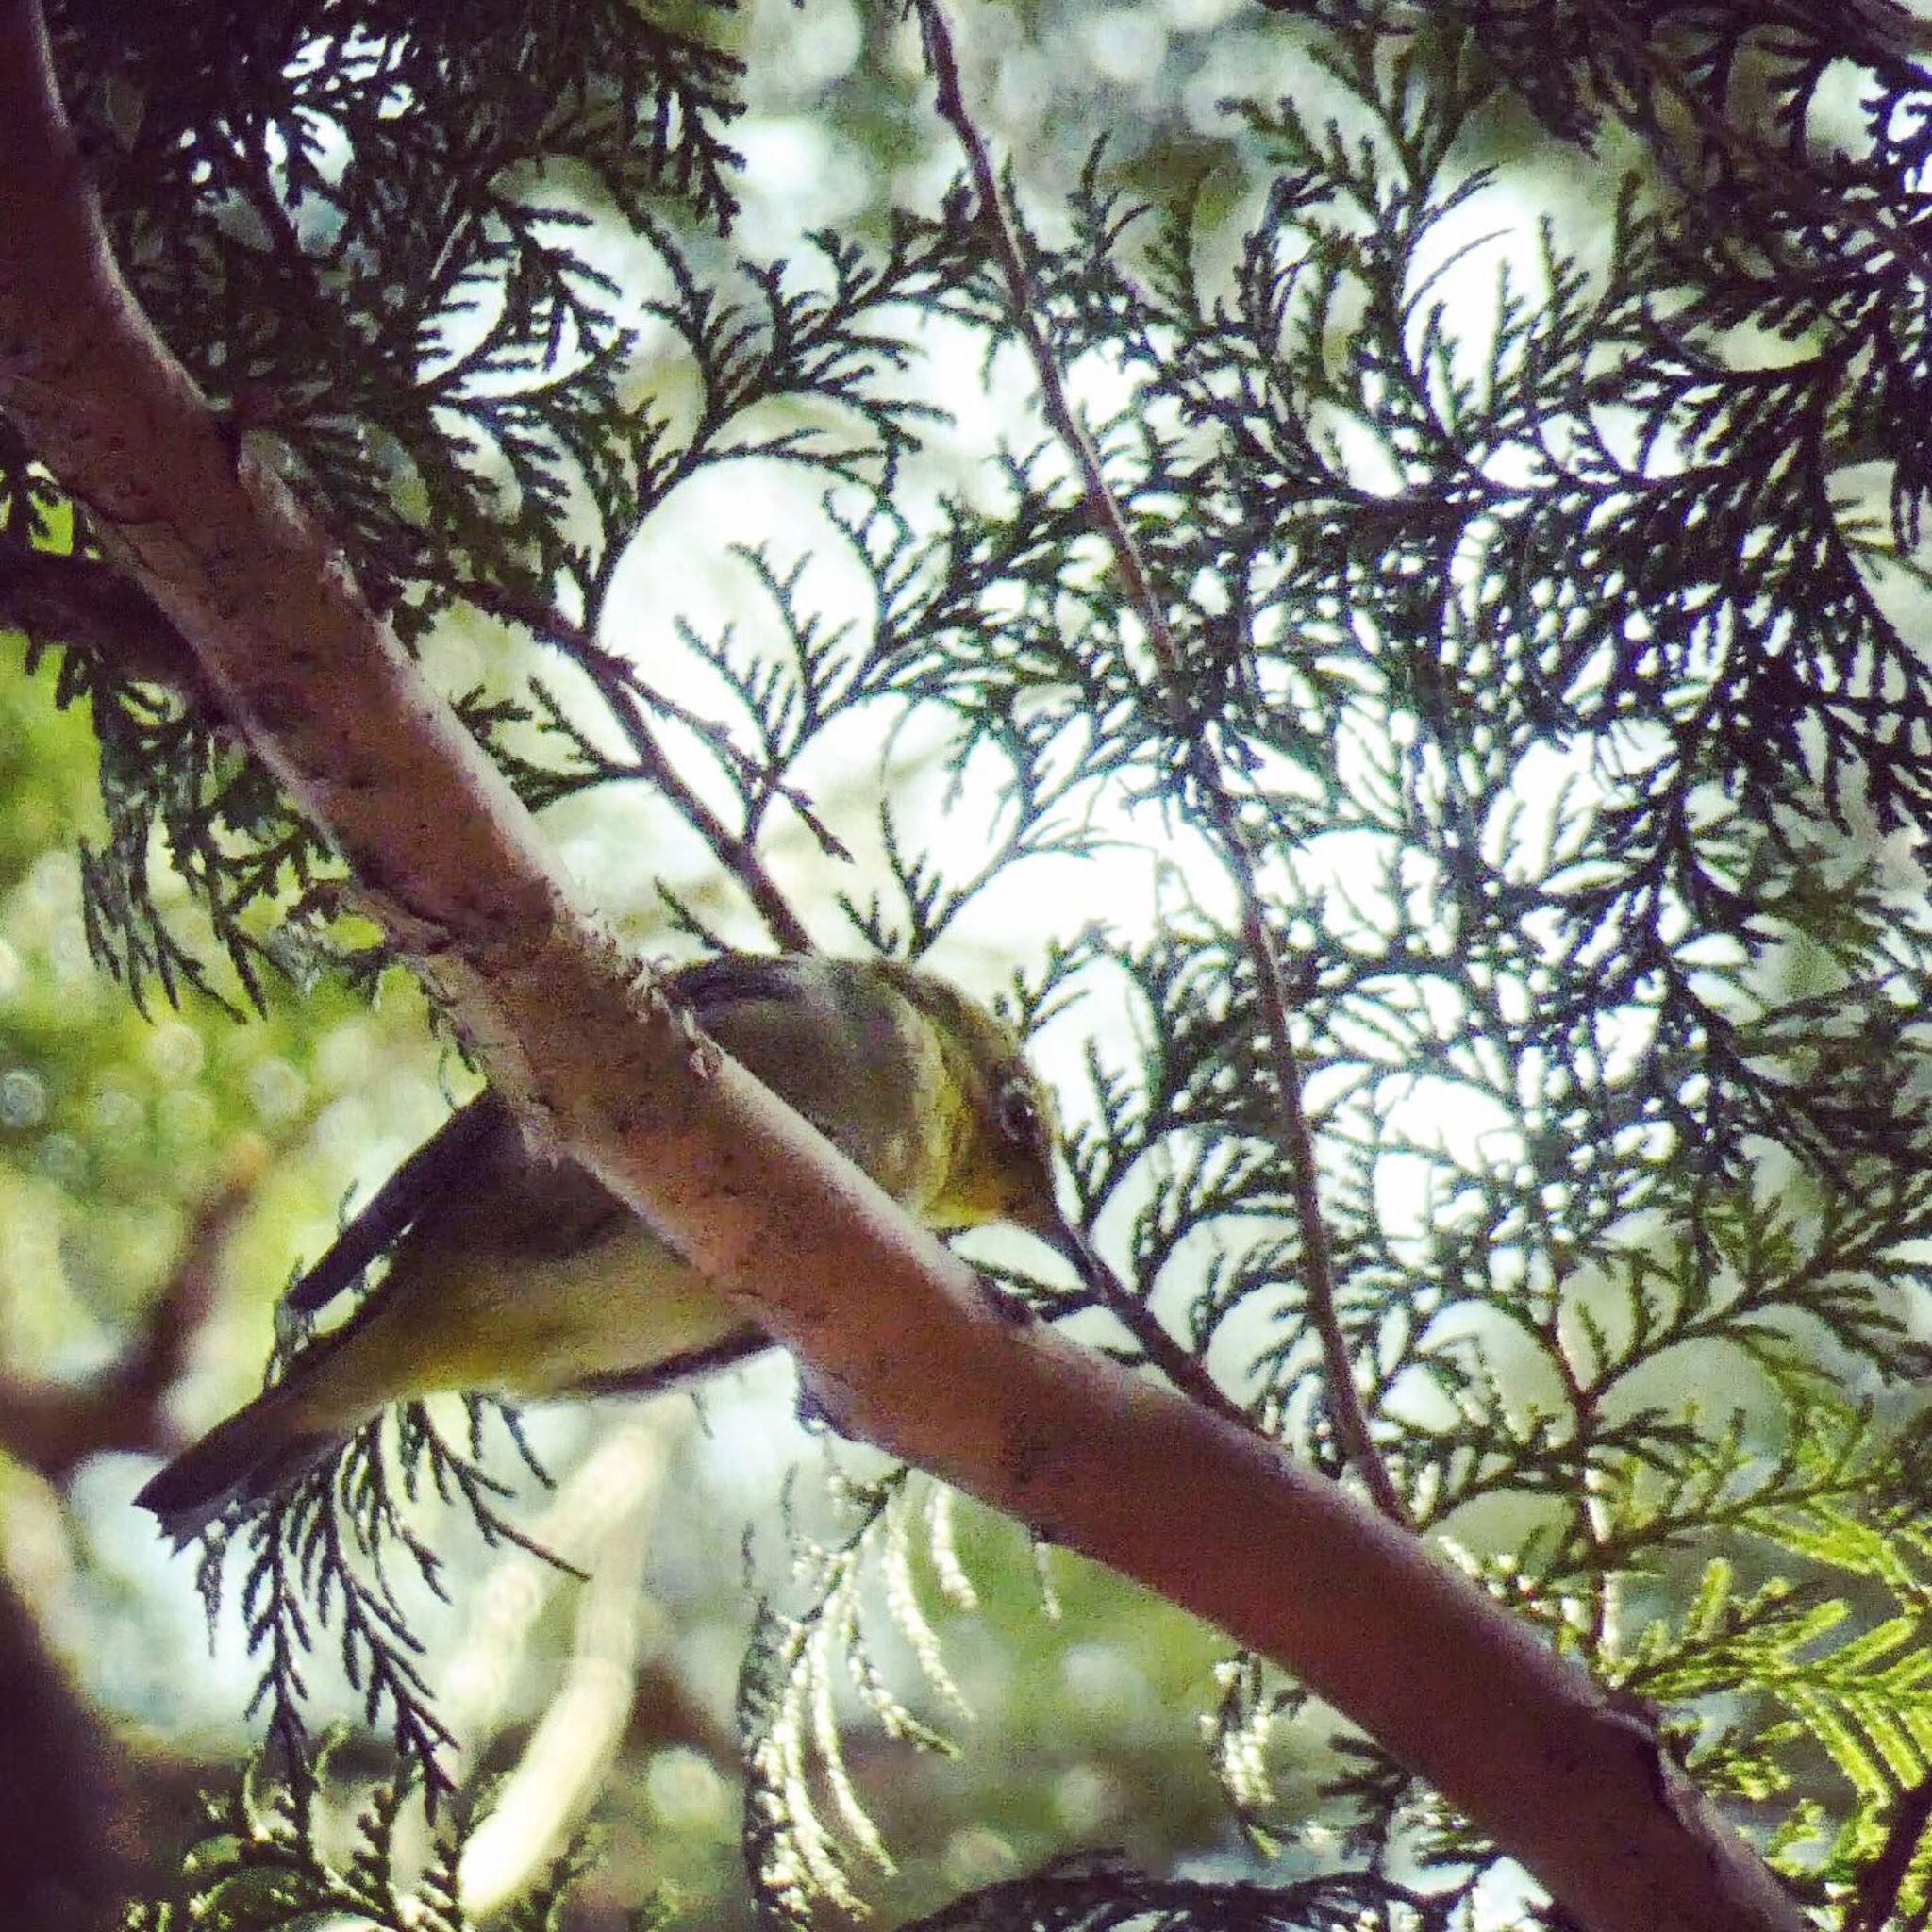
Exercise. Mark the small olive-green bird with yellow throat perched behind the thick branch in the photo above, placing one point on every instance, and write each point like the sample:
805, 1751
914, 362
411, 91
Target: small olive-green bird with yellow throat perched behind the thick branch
528, 1278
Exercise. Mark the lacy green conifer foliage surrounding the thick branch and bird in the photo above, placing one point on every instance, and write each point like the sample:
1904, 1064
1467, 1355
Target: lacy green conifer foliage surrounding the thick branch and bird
1481, 532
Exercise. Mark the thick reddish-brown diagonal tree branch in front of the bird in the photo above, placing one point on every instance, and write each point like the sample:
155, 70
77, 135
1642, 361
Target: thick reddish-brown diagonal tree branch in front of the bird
899, 1340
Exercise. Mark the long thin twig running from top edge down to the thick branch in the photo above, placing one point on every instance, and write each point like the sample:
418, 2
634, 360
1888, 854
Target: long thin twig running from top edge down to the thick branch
1293, 1131
